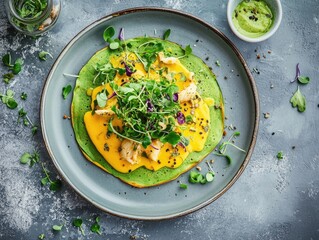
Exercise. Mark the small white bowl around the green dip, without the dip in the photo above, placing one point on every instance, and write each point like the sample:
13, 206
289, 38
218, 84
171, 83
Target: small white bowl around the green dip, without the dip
276, 9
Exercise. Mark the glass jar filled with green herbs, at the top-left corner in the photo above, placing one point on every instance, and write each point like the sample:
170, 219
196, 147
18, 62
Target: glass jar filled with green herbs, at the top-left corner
33, 17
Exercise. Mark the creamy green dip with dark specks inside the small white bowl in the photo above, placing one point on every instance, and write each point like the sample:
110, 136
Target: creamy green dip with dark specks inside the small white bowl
253, 18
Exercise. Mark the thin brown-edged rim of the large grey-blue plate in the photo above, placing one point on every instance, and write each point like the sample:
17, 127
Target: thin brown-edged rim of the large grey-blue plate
203, 23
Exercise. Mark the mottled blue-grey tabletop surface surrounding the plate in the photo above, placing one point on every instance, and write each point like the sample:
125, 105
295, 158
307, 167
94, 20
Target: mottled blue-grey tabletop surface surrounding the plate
273, 199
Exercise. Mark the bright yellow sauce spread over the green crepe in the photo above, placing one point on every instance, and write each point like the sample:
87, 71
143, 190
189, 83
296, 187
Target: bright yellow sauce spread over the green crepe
169, 156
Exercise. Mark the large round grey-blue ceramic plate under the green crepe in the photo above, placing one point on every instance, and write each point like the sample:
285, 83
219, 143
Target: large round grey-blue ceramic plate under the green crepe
167, 200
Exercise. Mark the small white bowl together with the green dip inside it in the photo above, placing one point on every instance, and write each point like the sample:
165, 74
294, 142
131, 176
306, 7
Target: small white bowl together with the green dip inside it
254, 20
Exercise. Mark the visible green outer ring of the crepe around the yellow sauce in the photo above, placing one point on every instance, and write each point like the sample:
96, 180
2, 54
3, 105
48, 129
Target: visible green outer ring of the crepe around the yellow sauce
142, 177
